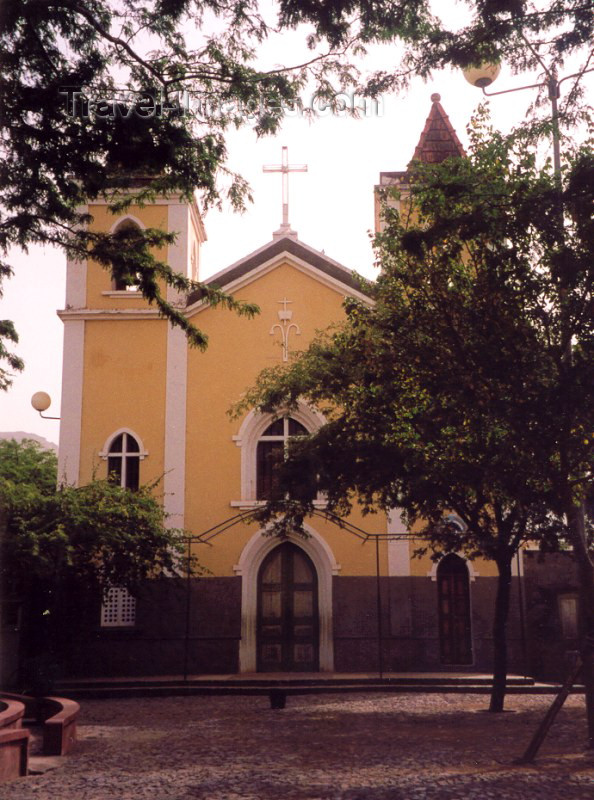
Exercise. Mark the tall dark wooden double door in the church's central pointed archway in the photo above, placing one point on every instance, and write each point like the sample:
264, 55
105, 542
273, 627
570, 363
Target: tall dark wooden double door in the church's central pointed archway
288, 624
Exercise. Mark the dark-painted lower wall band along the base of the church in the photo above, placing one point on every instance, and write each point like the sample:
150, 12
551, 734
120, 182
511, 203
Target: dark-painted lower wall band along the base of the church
200, 632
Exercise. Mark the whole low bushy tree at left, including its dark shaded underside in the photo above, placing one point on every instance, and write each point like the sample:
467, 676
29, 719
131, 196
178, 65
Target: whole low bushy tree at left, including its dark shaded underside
63, 548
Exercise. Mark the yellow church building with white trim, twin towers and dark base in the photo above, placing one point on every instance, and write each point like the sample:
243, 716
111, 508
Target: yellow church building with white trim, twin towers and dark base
140, 404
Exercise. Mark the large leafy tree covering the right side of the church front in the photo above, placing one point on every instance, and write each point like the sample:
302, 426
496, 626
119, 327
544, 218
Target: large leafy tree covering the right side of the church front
454, 392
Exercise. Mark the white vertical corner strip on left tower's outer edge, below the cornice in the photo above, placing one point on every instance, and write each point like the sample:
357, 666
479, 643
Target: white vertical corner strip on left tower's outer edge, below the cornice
71, 402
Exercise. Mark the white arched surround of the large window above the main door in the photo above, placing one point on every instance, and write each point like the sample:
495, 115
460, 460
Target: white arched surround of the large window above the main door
250, 431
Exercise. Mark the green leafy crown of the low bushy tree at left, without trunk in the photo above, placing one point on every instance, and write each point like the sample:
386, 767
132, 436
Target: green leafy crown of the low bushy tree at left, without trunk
97, 536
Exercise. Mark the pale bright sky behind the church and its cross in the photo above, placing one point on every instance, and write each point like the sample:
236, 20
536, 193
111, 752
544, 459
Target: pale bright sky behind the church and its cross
330, 207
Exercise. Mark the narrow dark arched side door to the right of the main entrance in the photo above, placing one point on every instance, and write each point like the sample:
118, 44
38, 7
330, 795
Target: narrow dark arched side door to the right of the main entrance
453, 592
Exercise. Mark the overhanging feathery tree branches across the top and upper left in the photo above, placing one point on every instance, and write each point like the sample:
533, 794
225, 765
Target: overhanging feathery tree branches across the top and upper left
93, 96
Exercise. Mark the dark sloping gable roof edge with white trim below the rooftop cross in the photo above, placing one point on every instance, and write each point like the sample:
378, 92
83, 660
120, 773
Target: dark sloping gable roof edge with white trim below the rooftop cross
271, 251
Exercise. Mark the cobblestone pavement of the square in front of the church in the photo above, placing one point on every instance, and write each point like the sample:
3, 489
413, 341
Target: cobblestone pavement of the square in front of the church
325, 747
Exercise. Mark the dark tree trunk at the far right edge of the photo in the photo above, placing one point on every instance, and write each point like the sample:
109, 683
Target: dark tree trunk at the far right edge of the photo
577, 531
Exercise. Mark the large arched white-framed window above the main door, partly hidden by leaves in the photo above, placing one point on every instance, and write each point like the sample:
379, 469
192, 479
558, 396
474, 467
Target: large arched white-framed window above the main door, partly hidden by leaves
263, 439
